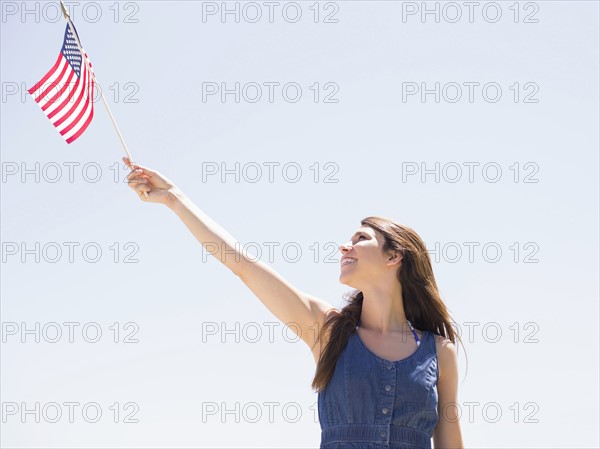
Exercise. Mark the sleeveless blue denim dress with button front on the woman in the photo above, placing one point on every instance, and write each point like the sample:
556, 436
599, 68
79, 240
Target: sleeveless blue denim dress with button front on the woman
374, 403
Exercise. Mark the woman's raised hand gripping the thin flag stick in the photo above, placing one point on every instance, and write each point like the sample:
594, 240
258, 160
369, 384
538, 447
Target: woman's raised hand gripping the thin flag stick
157, 188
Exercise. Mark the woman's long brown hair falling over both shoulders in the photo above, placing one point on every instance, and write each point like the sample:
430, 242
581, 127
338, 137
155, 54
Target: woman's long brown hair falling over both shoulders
422, 303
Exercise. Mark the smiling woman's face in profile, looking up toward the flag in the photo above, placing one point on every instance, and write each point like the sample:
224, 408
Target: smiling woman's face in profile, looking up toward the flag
367, 262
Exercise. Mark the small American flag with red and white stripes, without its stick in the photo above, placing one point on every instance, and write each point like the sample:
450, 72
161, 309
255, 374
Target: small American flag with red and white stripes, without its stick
66, 92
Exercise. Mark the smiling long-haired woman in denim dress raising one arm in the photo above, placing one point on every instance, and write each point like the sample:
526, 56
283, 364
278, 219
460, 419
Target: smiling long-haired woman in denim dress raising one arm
387, 371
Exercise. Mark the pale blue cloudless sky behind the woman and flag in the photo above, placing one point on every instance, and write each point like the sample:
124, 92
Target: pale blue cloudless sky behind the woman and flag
366, 141
